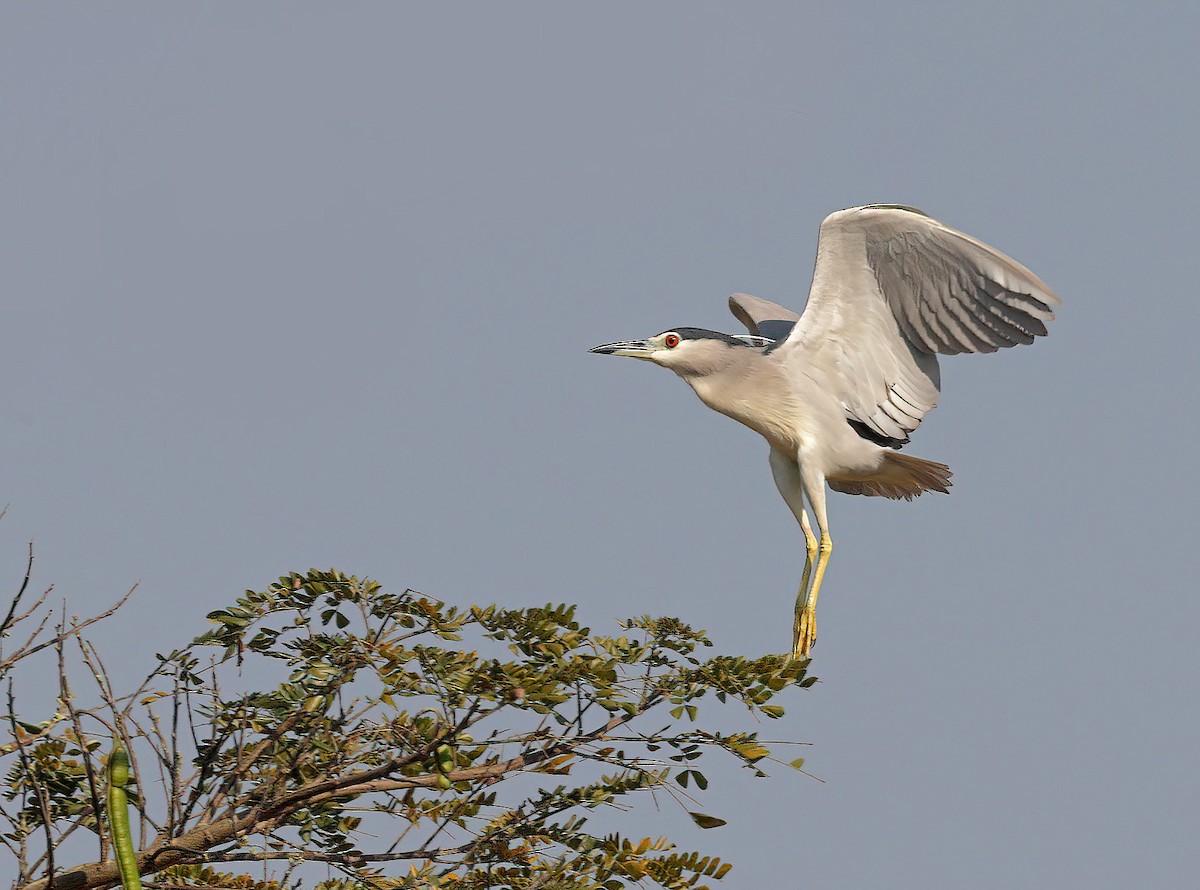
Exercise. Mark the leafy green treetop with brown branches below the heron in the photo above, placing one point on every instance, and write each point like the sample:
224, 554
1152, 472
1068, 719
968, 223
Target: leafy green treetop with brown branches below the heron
400, 742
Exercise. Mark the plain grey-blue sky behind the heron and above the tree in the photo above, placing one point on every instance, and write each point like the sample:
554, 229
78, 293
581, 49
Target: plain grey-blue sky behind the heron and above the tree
293, 286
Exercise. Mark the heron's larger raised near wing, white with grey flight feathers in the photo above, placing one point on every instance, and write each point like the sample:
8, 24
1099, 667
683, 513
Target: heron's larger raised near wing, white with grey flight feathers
893, 287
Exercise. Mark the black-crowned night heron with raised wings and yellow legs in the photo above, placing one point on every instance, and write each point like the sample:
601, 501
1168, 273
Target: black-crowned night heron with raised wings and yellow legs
837, 392
